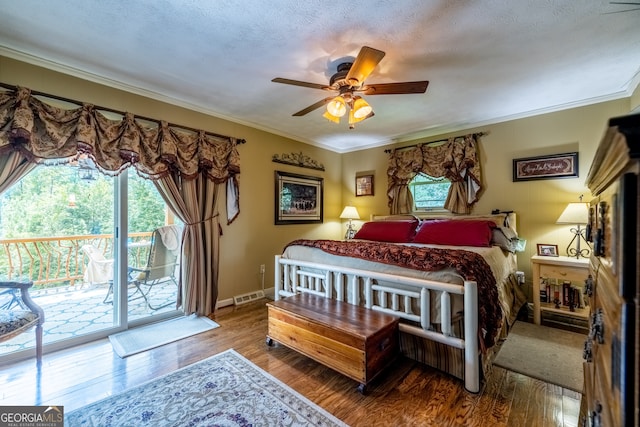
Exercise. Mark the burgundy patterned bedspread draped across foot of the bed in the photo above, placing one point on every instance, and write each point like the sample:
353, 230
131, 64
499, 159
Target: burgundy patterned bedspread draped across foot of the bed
470, 265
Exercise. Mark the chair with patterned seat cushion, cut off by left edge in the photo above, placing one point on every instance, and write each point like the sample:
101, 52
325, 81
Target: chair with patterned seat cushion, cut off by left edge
22, 317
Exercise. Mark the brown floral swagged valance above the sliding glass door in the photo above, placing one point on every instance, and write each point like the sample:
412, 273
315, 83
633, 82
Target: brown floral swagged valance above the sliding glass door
47, 134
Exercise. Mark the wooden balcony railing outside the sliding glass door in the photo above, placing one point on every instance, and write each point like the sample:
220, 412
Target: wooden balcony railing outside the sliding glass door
60, 261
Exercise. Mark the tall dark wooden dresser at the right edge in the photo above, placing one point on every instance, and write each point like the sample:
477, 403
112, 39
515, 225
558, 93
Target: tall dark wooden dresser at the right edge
612, 348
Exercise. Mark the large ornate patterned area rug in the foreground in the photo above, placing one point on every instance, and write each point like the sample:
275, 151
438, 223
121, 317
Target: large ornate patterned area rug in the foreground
223, 390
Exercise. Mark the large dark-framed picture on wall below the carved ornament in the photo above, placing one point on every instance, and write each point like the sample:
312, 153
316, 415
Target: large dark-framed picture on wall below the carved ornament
298, 199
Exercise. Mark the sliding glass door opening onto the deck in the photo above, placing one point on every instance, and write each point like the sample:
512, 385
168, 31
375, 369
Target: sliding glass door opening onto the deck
88, 242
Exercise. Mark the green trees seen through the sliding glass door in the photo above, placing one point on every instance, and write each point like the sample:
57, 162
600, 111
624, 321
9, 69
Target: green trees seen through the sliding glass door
57, 201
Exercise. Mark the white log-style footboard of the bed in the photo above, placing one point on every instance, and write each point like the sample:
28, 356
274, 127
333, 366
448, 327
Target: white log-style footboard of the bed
405, 297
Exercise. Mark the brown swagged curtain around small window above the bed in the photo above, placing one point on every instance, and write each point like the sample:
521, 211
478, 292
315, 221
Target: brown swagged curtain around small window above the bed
457, 160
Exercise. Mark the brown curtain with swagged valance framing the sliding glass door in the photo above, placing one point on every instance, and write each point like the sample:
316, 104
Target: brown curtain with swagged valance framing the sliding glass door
189, 169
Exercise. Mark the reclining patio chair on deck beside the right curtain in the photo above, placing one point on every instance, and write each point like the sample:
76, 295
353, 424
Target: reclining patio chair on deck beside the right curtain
161, 264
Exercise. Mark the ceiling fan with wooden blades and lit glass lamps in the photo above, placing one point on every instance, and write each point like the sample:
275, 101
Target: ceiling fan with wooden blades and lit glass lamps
348, 82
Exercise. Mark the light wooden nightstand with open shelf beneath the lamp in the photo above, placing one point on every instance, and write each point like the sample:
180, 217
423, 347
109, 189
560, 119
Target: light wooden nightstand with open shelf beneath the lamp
556, 271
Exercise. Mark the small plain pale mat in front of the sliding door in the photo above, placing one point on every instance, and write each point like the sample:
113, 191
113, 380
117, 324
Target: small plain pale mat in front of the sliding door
147, 337
